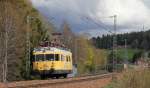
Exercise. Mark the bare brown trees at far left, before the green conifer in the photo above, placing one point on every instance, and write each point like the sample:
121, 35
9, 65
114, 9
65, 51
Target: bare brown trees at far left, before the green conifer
10, 40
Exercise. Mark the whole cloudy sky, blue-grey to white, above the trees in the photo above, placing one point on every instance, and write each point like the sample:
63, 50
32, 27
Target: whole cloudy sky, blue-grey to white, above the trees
95, 16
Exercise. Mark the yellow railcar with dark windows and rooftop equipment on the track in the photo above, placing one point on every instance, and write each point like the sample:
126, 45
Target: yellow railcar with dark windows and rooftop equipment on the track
51, 61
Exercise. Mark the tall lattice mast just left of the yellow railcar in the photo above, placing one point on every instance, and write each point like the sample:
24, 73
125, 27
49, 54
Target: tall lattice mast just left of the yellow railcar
28, 48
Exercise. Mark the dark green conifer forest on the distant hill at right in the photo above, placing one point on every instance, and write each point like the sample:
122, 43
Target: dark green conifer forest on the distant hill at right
139, 40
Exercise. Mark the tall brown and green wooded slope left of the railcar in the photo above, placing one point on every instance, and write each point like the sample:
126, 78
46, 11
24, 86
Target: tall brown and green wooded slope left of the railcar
13, 30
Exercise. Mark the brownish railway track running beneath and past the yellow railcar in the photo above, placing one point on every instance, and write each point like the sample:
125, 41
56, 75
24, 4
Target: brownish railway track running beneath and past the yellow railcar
44, 83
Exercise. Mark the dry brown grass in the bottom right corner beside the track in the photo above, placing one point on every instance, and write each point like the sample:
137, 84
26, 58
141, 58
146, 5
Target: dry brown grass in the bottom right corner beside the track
134, 79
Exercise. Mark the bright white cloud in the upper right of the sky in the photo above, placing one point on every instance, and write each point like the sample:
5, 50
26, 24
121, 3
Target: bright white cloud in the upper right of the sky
128, 11
